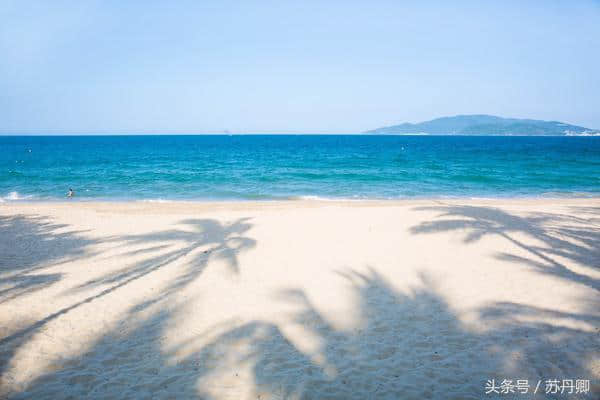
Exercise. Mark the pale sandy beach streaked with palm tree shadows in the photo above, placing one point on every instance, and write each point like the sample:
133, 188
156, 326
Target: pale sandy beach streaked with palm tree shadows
402, 300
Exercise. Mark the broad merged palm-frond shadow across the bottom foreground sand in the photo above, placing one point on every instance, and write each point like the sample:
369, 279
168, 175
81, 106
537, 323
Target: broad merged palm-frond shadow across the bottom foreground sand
404, 345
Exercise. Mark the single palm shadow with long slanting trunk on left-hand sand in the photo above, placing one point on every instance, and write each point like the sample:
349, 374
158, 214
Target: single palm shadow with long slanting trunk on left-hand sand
224, 241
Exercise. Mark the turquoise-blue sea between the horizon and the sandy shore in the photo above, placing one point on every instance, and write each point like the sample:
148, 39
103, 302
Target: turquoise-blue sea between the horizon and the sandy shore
251, 167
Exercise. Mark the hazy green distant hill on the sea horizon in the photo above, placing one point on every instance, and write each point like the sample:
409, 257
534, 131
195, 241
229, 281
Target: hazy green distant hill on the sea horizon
486, 125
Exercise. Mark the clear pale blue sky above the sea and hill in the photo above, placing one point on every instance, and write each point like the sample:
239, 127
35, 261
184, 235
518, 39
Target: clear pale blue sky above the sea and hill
292, 66
